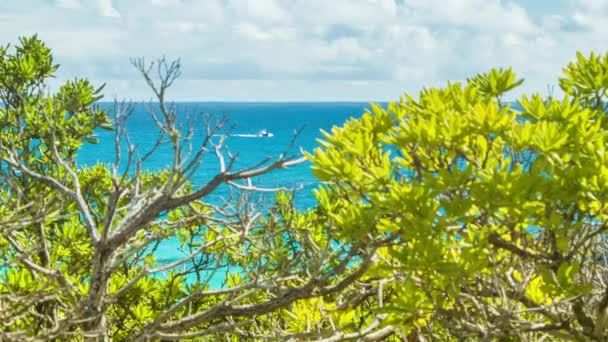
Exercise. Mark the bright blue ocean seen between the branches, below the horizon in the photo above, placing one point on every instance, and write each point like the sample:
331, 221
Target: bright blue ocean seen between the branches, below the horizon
245, 120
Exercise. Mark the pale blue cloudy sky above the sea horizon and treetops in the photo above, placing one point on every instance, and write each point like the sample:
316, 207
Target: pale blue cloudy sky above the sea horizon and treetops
308, 50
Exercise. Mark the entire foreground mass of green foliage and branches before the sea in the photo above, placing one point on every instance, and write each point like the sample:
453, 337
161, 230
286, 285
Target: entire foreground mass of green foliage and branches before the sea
448, 215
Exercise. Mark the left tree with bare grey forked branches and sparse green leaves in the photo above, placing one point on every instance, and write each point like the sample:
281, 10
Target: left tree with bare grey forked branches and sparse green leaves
77, 243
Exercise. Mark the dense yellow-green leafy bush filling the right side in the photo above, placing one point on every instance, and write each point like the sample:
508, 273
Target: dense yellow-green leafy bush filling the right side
498, 212
